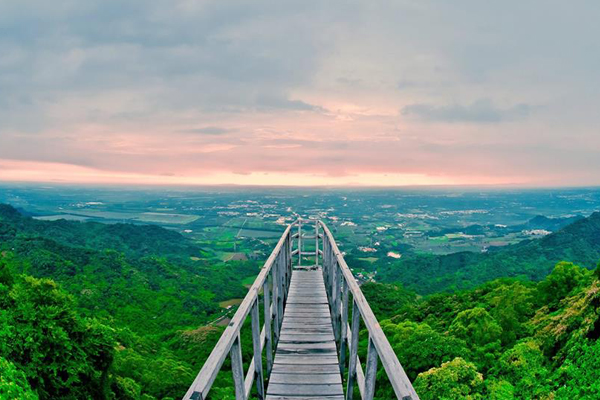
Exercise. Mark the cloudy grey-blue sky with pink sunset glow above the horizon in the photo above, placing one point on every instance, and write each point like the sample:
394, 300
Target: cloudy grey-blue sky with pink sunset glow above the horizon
300, 92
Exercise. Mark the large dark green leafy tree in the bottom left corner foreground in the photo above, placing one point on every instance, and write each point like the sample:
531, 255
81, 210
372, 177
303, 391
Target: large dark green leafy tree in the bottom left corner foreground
62, 354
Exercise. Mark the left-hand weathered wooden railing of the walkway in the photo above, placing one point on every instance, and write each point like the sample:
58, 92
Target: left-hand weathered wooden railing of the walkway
273, 279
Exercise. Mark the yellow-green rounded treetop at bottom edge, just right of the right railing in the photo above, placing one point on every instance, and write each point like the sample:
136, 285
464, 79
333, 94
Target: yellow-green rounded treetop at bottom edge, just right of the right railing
456, 379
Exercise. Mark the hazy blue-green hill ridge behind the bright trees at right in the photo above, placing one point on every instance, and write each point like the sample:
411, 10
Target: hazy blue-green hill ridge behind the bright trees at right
578, 242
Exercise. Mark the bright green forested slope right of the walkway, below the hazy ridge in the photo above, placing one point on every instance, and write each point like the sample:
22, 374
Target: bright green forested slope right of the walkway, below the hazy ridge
507, 339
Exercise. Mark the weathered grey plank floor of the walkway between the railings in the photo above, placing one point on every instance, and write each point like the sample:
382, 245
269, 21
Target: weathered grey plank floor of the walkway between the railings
306, 365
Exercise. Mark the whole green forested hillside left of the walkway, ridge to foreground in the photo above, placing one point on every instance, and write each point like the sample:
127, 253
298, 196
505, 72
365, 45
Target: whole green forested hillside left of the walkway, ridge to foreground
106, 311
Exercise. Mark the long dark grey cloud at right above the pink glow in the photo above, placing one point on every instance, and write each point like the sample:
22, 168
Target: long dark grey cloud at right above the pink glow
481, 111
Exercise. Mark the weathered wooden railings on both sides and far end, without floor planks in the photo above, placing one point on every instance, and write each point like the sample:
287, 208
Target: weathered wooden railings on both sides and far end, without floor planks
274, 280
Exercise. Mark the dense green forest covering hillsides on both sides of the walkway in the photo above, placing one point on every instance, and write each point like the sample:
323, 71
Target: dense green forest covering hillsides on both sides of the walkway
119, 311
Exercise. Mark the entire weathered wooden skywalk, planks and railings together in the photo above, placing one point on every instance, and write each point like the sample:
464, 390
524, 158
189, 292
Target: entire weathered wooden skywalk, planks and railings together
305, 345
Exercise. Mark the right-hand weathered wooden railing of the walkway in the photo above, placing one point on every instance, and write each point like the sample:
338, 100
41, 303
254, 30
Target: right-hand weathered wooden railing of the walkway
340, 283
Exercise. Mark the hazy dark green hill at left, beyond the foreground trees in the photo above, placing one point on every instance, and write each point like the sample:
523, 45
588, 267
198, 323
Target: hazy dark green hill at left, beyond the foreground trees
128, 272
